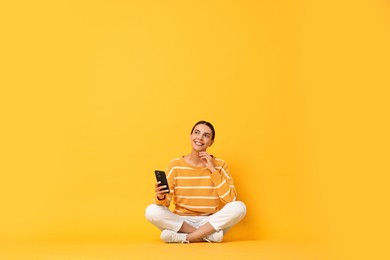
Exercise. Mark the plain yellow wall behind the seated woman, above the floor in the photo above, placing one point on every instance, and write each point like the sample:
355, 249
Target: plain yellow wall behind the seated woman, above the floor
95, 95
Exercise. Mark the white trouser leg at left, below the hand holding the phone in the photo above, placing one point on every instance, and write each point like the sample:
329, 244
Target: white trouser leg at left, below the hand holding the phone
163, 218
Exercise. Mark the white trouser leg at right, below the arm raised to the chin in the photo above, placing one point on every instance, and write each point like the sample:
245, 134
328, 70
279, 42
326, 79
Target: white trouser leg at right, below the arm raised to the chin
228, 216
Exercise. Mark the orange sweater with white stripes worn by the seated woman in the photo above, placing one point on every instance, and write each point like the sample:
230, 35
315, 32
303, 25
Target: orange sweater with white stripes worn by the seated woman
195, 191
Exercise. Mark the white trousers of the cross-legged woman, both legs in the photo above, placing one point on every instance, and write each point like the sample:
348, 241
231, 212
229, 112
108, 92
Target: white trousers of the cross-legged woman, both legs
227, 217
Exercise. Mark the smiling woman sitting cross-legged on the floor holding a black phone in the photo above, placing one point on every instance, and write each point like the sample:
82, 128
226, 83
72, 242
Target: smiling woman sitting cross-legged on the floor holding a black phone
202, 191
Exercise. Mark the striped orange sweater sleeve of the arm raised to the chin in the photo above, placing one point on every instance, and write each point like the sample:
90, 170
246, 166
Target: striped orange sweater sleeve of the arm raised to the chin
224, 183
